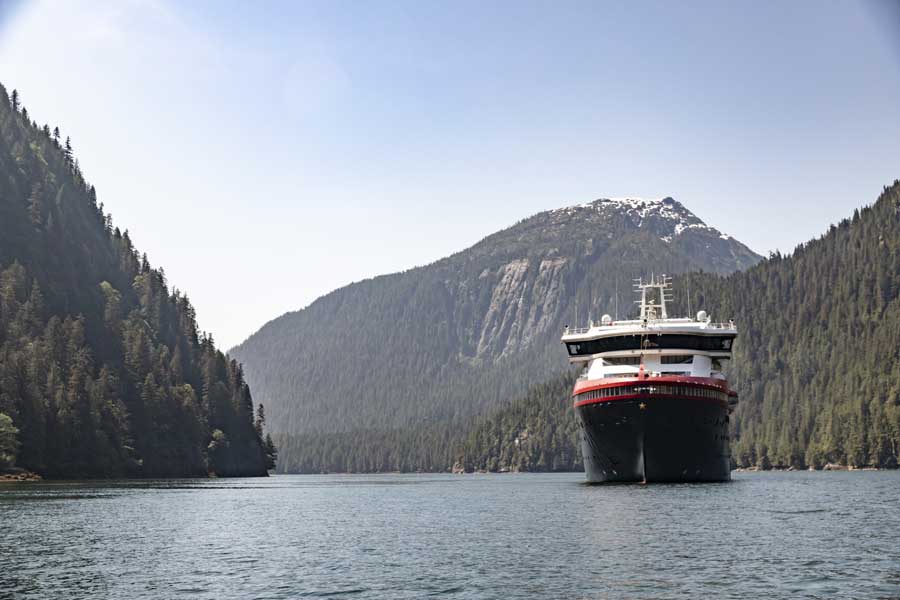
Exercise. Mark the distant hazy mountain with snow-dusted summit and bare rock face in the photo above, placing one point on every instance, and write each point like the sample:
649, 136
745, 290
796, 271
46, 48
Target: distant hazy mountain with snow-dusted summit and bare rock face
443, 342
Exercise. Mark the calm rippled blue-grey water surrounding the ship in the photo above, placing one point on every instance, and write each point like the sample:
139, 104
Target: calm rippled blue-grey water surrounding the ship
476, 536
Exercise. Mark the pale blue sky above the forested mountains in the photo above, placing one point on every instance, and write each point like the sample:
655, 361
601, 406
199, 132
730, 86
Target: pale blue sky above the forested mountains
266, 153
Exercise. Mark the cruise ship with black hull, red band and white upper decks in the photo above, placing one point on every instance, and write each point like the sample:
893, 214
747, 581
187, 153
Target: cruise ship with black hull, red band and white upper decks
652, 401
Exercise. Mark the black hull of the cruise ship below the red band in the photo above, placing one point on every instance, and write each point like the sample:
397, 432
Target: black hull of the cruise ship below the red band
655, 439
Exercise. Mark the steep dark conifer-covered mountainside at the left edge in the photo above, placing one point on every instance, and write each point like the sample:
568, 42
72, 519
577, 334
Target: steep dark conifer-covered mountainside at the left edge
102, 370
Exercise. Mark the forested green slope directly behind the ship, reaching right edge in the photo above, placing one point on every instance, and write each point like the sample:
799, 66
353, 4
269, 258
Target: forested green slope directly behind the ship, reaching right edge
816, 364
